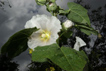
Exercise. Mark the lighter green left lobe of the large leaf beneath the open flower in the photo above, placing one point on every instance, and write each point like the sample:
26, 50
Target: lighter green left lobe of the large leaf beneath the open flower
40, 54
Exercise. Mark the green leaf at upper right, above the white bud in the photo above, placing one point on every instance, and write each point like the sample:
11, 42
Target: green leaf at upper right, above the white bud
78, 13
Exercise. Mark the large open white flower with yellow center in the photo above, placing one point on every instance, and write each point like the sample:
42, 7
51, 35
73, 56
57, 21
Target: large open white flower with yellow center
47, 33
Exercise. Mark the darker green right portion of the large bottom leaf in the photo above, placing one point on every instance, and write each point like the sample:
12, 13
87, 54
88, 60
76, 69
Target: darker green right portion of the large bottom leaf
69, 59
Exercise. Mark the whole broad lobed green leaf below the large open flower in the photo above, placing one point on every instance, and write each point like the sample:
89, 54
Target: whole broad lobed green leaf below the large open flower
66, 58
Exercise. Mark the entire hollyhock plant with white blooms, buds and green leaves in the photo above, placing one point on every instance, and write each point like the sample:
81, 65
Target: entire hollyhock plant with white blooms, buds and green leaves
41, 36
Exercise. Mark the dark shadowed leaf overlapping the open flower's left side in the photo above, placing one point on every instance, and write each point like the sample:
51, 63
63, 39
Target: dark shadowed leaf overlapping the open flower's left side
17, 43
